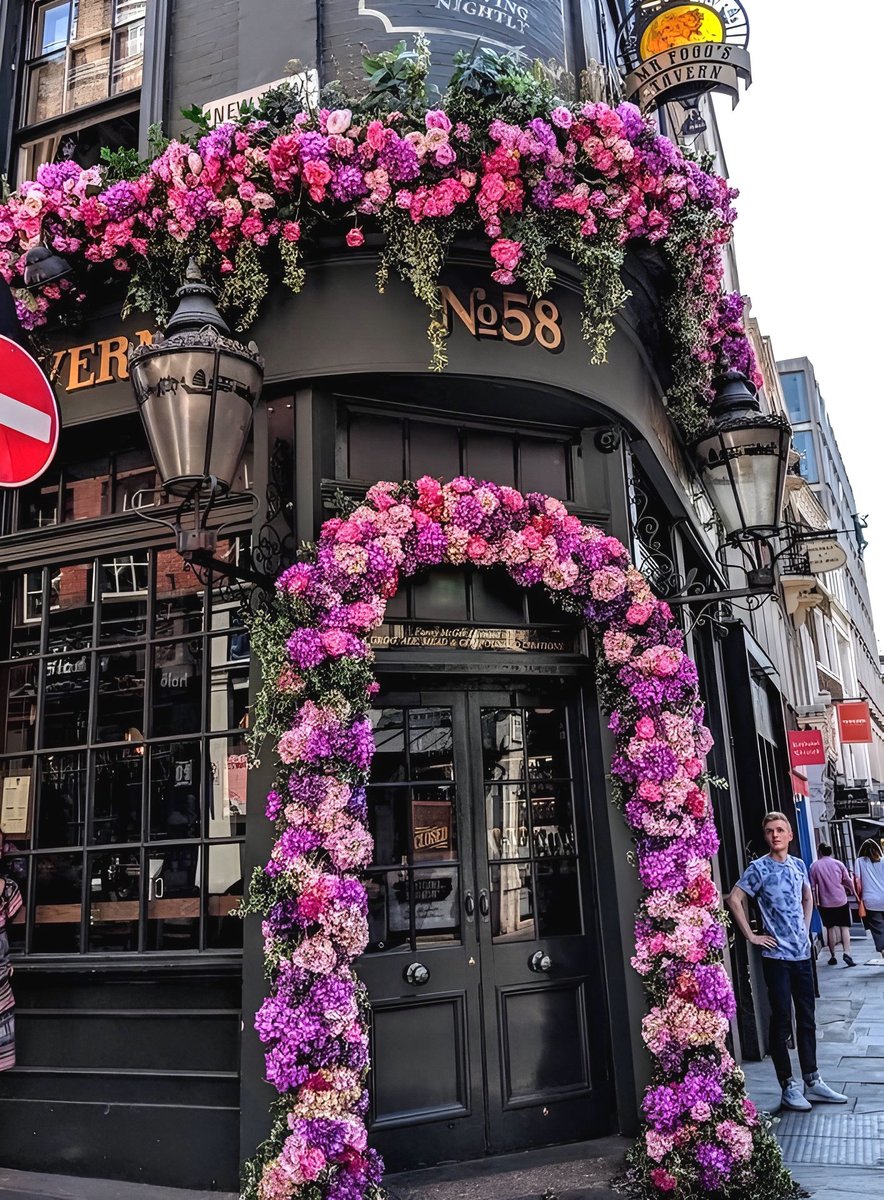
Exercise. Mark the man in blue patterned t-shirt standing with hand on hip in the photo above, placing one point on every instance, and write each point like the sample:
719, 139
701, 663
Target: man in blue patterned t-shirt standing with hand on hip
780, 886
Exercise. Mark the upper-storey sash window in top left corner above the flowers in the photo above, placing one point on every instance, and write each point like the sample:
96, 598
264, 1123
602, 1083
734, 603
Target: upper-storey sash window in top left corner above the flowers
82, 75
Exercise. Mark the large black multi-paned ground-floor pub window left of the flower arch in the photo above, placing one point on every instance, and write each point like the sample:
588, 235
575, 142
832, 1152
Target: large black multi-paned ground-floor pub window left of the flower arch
124, 709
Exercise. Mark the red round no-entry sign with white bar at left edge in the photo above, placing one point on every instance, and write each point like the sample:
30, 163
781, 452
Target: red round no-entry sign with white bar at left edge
29, 418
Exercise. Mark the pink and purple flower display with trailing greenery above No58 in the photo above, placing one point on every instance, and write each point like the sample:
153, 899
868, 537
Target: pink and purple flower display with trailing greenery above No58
498, 157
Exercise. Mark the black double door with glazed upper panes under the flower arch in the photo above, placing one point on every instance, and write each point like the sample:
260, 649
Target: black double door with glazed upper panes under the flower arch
489, 1023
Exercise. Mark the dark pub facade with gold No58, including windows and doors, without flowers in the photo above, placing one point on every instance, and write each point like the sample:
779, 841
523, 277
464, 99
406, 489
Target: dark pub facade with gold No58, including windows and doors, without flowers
506, 1013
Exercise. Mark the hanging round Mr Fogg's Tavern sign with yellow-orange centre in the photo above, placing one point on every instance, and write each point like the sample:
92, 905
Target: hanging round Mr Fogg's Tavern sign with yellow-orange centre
670, 51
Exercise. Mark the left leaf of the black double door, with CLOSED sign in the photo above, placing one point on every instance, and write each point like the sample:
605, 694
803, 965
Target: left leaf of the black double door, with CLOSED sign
422, 965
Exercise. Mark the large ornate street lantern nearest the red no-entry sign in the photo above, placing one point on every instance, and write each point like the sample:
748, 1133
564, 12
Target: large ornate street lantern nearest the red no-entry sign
196, 389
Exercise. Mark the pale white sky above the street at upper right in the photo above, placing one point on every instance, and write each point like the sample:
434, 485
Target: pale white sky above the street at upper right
804, 149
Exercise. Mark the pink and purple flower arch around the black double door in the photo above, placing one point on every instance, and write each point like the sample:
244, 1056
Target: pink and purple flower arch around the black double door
702, 1136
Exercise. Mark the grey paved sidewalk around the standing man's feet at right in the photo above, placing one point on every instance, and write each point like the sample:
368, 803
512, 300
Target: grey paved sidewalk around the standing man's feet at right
838, 1151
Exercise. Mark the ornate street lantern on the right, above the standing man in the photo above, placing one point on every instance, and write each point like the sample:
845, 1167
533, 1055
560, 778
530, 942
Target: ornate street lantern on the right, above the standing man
743, 460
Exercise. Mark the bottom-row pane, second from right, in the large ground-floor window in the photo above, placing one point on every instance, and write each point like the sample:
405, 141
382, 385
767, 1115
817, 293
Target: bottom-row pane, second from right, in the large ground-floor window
175, 898
